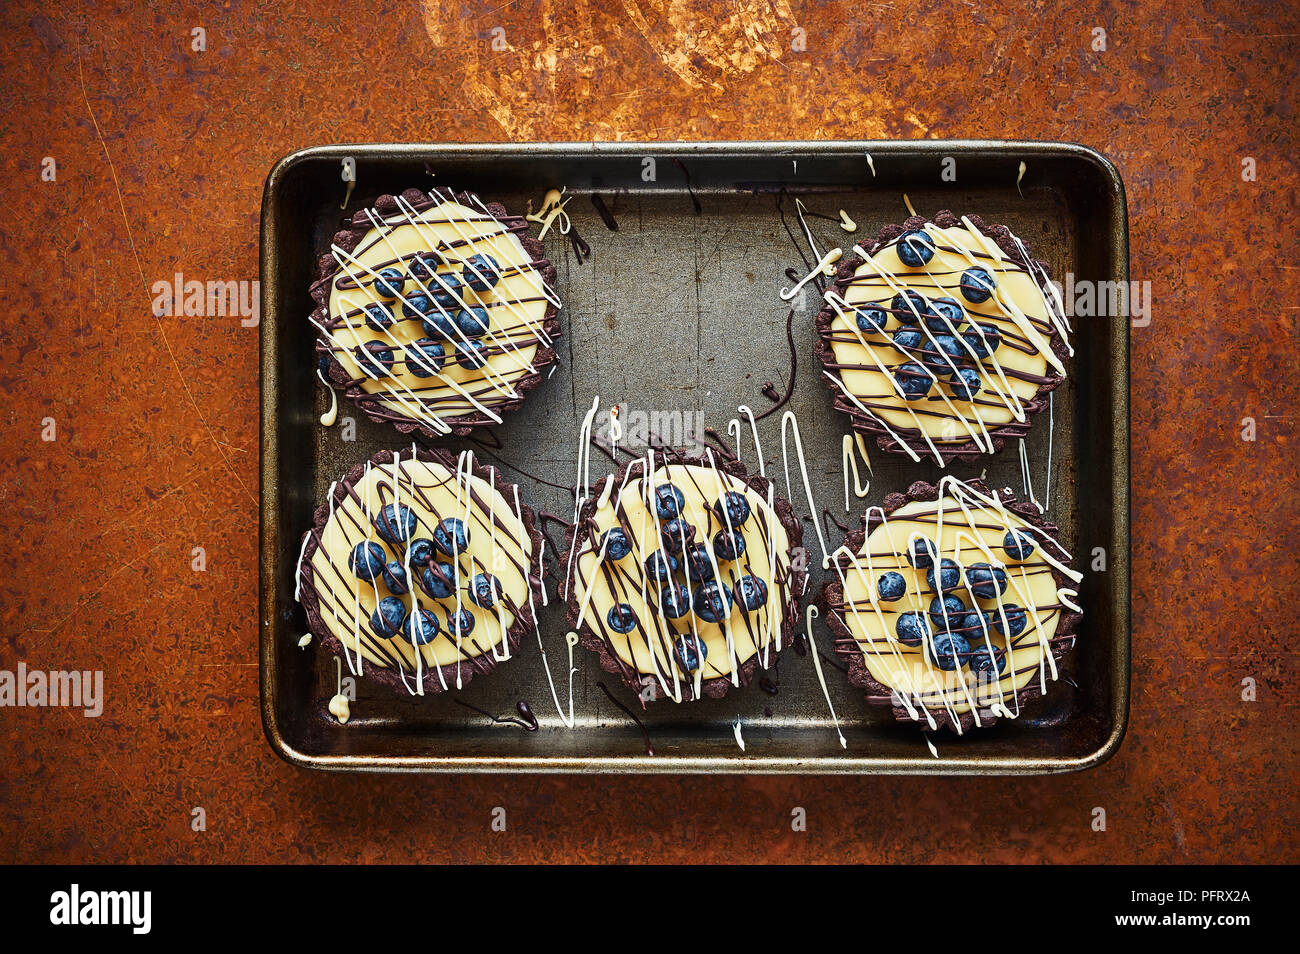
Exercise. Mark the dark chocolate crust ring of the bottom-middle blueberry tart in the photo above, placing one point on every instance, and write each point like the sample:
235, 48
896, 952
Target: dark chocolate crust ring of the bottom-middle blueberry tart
583, 531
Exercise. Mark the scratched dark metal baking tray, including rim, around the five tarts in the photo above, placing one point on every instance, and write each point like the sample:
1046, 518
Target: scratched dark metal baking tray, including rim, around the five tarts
679, 311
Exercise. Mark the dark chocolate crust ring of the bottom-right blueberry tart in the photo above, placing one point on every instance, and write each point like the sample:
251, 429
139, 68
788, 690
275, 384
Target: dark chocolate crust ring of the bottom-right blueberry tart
831, 605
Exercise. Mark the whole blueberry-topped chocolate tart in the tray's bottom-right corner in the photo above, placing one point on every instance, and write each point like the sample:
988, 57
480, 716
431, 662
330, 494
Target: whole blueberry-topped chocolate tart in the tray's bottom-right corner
924, 674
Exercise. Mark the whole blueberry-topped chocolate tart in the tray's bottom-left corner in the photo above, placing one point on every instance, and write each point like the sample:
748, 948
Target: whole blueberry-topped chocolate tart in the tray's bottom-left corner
400, 510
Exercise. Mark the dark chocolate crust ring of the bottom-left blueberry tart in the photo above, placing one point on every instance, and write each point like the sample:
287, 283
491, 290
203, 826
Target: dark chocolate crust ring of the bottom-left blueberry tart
388, 678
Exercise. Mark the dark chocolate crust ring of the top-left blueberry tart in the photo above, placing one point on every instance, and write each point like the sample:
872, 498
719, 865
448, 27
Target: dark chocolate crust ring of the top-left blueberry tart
350, 236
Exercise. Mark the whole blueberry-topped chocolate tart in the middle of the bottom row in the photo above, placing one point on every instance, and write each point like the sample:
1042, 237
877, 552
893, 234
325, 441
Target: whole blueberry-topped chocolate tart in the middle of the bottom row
643, 586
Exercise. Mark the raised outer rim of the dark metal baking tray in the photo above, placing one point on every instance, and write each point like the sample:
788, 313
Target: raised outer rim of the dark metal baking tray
1121, 669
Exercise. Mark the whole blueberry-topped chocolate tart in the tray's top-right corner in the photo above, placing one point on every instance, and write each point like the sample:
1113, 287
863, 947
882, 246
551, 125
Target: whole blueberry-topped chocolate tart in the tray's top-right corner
961, 365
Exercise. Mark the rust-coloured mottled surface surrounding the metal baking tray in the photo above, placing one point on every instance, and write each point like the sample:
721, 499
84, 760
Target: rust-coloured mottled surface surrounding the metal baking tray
162, 154
